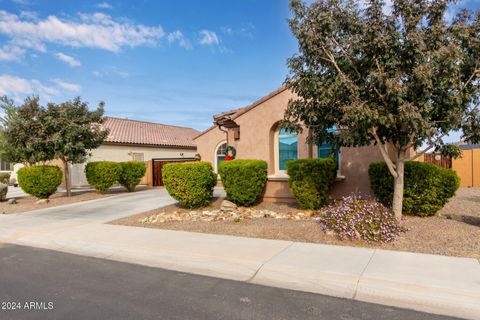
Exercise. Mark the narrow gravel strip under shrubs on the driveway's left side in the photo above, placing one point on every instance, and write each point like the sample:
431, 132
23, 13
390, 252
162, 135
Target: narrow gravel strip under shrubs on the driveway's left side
29, 203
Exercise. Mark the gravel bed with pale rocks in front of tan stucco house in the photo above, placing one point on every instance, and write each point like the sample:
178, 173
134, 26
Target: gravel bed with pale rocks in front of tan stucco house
454, 231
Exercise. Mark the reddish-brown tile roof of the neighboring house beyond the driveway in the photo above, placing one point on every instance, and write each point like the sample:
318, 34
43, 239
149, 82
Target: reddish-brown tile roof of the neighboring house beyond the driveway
148, 133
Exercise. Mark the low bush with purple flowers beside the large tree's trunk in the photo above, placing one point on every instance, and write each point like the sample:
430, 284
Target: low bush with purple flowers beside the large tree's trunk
356, 218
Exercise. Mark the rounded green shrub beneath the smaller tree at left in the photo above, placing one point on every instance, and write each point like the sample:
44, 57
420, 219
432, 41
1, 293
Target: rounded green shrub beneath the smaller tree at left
40, 181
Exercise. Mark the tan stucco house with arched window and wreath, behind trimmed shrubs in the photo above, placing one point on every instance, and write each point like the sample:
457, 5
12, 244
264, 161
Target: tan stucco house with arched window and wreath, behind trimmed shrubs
253, 131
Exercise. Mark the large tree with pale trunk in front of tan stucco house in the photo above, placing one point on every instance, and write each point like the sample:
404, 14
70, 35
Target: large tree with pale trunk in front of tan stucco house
401, 78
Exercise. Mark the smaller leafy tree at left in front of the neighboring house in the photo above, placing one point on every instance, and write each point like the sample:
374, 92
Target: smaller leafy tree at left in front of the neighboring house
67, 131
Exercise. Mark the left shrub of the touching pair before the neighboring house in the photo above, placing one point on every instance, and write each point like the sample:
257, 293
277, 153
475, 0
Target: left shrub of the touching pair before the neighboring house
102, 174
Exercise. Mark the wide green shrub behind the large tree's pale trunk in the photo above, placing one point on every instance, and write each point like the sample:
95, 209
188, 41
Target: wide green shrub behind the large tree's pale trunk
427, 187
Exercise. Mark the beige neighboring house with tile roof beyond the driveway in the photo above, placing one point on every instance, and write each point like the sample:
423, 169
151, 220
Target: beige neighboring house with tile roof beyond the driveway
152, 143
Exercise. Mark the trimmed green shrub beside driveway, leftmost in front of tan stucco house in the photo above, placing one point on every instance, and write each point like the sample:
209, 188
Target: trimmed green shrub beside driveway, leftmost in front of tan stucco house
190, 183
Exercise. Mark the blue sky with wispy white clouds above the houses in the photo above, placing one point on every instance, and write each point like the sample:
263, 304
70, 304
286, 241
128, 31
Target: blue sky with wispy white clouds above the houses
174, 62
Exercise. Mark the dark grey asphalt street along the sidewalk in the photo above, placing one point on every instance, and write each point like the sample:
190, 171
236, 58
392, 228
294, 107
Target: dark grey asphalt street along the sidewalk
44, 284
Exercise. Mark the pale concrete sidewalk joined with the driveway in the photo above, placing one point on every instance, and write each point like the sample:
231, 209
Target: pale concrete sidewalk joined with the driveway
429, 283
